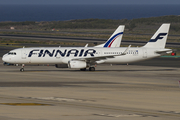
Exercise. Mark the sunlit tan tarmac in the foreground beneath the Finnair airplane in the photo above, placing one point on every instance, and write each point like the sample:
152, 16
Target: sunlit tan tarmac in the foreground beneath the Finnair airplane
136, 91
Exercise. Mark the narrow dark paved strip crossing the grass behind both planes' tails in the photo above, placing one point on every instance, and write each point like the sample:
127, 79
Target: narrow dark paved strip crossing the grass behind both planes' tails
82, 40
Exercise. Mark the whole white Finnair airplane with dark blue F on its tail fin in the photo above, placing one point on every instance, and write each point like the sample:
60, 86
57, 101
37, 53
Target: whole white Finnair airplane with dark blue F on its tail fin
87, 57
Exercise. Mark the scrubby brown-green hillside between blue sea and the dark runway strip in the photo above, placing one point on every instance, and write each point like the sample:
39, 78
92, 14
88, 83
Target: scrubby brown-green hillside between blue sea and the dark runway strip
136, 29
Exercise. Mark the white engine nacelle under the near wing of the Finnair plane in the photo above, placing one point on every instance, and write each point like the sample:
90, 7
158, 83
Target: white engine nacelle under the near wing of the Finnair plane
77, 64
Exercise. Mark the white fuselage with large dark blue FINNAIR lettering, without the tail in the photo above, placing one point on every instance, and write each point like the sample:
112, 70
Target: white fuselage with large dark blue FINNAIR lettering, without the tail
61, 55
